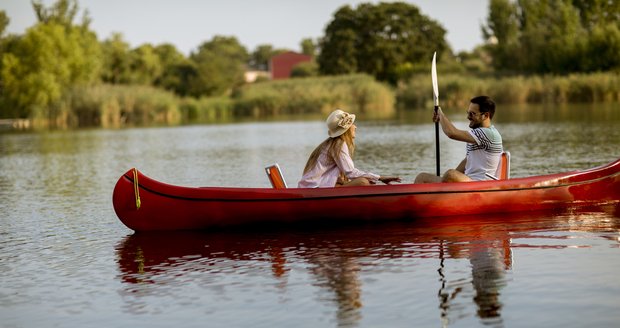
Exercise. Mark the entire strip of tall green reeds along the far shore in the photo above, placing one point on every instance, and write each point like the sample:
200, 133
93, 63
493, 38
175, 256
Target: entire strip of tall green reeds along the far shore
125, 105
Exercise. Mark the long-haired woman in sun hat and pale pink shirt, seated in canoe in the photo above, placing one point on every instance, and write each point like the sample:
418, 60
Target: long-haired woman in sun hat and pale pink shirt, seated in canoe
331, 163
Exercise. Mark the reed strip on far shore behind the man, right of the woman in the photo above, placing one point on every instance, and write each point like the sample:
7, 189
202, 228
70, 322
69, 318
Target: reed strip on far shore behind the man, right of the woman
456, 90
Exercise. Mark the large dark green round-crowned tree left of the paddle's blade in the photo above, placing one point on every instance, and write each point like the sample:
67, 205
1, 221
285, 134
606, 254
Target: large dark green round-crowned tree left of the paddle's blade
381, 40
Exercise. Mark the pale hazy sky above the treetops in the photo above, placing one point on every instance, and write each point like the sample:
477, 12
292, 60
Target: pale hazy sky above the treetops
280, 23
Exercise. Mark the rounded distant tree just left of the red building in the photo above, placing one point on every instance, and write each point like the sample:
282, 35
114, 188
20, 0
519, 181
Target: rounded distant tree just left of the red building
220, 67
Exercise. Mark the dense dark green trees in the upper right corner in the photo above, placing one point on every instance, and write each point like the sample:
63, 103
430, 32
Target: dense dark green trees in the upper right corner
554, 36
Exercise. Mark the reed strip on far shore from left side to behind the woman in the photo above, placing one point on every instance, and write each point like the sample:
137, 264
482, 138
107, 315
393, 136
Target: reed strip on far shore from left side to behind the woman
112, 106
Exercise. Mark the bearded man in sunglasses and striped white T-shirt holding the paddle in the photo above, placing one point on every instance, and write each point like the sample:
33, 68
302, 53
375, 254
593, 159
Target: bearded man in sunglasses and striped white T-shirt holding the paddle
484, 144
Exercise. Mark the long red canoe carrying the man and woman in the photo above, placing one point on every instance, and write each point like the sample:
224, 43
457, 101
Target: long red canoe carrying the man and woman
144, 204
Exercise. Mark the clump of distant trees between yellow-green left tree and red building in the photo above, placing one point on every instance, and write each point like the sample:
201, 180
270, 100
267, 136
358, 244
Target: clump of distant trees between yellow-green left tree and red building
215, 69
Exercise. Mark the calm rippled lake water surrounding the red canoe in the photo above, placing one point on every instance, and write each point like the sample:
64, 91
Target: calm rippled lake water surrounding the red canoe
67, 261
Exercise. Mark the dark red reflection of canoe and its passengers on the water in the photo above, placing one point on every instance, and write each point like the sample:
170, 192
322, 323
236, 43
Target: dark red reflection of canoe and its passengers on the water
340, 260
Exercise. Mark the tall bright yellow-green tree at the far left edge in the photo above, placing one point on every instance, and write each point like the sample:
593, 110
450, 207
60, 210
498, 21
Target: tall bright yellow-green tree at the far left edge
51, 57
